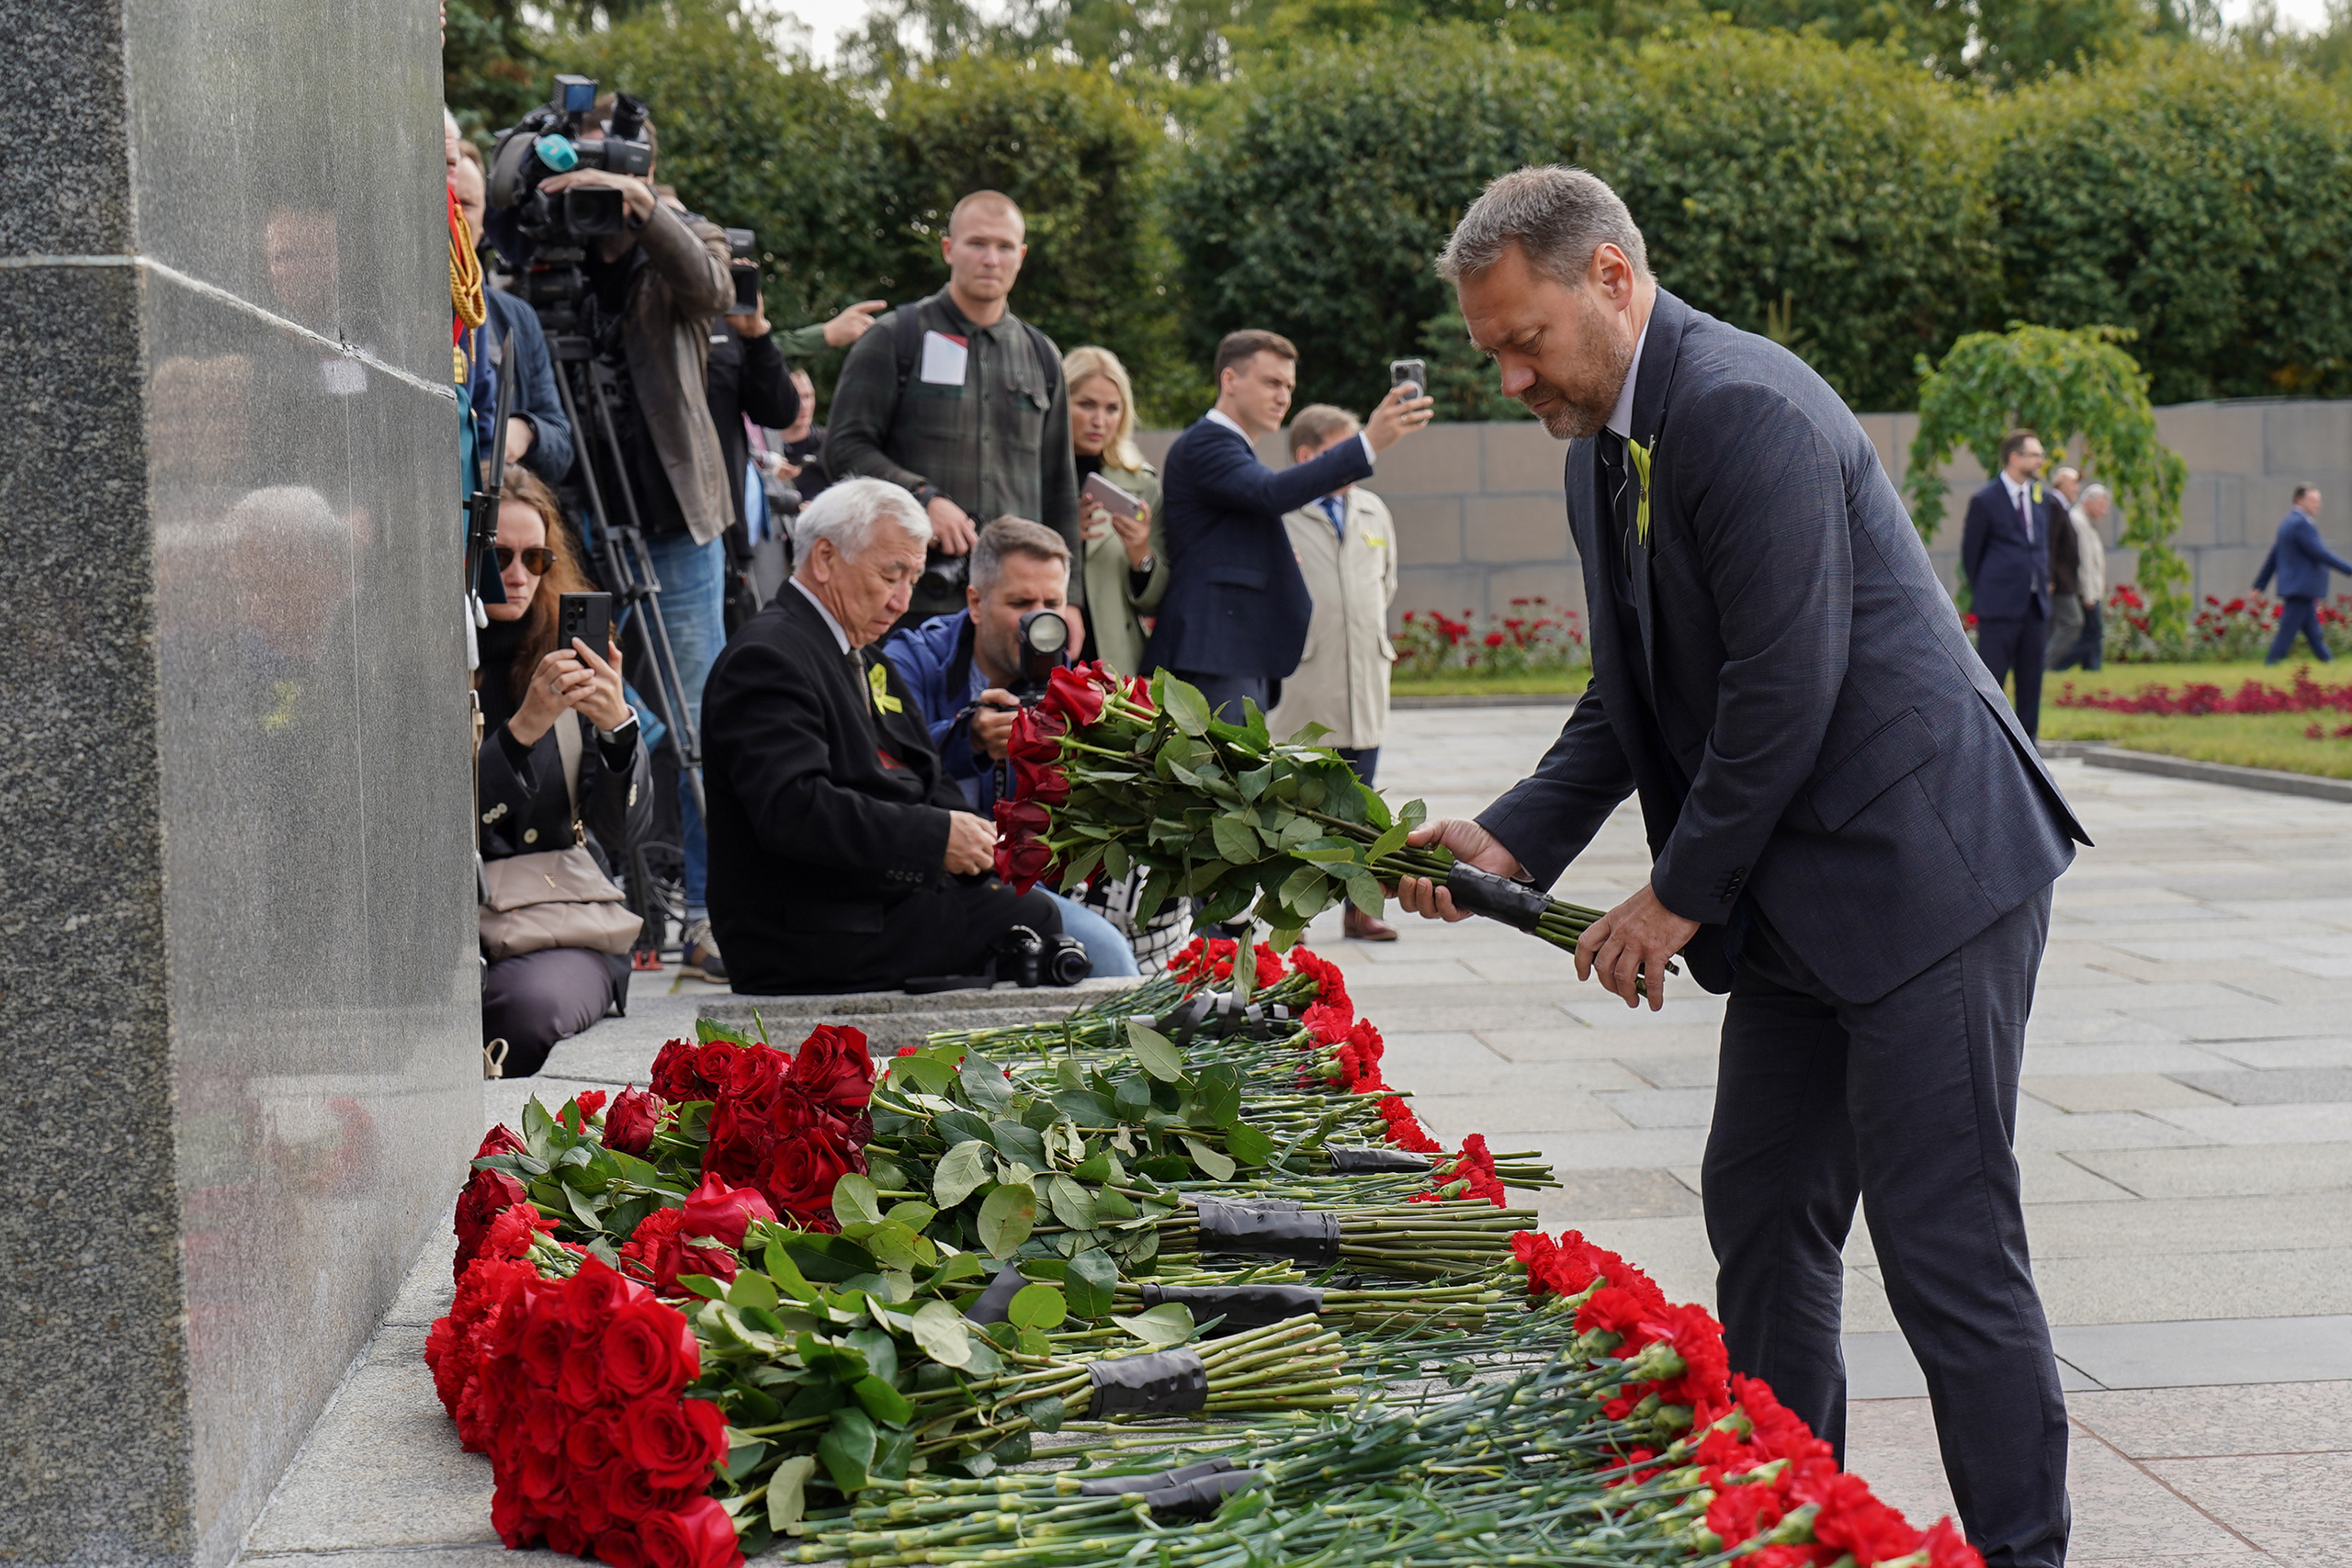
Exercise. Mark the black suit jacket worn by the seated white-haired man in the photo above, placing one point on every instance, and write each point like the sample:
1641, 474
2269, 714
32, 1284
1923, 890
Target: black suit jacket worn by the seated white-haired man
810, 826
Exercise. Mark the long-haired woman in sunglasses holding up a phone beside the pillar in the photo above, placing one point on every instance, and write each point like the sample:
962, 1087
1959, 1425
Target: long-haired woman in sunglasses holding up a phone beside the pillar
528, 688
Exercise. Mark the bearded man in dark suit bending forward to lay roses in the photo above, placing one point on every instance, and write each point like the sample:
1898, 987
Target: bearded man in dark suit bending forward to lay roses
1850, 831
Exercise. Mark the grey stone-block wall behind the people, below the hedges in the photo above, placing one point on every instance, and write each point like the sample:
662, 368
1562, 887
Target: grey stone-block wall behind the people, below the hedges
1481, 516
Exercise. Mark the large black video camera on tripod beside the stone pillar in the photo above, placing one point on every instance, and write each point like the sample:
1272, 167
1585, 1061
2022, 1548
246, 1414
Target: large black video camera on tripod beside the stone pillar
549, 142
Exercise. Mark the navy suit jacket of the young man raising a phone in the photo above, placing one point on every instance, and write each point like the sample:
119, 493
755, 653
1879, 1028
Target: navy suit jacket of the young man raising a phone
1236, 601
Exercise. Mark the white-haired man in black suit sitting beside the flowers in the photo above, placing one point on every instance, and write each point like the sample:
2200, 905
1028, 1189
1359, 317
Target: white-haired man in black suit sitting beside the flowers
843, 857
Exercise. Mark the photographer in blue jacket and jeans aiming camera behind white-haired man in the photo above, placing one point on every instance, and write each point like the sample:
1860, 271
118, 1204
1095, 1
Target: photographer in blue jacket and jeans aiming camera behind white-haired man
970, 674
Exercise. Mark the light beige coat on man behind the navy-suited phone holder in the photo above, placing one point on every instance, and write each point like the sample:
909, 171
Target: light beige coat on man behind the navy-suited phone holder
1342, 681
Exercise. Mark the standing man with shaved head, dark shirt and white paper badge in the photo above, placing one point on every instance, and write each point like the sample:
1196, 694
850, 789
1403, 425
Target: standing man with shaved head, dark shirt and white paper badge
963, 403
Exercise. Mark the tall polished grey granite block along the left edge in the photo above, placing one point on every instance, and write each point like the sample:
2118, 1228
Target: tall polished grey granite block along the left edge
236, 899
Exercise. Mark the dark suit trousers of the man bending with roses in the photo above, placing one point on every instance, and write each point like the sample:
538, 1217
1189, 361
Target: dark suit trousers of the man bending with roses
1906, 1104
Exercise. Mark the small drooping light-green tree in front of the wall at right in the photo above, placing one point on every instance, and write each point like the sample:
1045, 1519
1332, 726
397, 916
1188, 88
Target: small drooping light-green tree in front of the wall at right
2064, 387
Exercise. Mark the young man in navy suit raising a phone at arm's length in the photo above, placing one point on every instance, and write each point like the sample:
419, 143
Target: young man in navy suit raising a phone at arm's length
1236, 612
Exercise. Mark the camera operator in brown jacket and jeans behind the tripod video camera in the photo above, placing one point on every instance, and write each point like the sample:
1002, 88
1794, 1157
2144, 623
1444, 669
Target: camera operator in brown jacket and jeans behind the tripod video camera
657, 288
